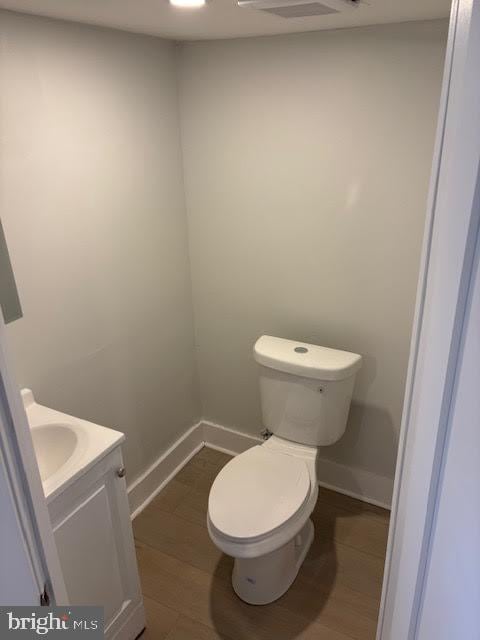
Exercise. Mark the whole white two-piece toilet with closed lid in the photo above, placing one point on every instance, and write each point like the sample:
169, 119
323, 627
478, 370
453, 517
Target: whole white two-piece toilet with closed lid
260, 503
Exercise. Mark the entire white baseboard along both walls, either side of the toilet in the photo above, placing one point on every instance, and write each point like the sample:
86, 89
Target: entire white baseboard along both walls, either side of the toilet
354, 482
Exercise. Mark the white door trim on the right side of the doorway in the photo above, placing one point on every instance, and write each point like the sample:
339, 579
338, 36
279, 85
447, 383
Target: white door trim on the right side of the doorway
447, 261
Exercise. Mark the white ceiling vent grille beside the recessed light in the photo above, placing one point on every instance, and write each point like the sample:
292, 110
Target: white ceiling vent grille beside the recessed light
299, 8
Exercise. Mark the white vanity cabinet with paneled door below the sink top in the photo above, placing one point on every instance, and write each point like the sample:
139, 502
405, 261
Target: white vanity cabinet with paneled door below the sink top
91, 523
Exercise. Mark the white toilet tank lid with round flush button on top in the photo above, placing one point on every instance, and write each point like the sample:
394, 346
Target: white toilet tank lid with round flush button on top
306, 360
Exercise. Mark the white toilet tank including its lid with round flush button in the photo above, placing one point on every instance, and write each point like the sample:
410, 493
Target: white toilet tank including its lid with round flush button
305, 389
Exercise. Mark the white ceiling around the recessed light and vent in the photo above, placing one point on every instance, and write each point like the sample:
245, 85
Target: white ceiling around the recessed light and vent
221, 18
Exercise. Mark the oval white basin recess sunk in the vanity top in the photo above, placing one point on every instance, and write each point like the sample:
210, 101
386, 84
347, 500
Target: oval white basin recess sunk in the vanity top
54, 445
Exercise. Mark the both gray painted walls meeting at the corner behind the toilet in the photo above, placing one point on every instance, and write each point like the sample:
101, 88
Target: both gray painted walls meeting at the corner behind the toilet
306, 163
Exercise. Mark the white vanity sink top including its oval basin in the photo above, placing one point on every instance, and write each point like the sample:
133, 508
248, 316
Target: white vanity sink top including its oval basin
65, 446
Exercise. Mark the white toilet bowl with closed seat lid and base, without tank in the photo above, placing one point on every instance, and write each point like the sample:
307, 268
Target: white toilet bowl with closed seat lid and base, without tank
259, 513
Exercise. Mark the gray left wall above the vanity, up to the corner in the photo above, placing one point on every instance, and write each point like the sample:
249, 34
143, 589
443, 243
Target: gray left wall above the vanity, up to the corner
91, 196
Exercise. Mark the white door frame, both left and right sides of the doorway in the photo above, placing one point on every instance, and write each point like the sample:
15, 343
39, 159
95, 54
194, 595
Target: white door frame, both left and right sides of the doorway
446, 265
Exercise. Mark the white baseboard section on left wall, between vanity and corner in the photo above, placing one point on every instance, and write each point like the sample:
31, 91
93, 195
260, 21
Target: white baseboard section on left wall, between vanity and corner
144, 488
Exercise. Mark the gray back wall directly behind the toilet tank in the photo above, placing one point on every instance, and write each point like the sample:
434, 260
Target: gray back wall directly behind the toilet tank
307, 161
